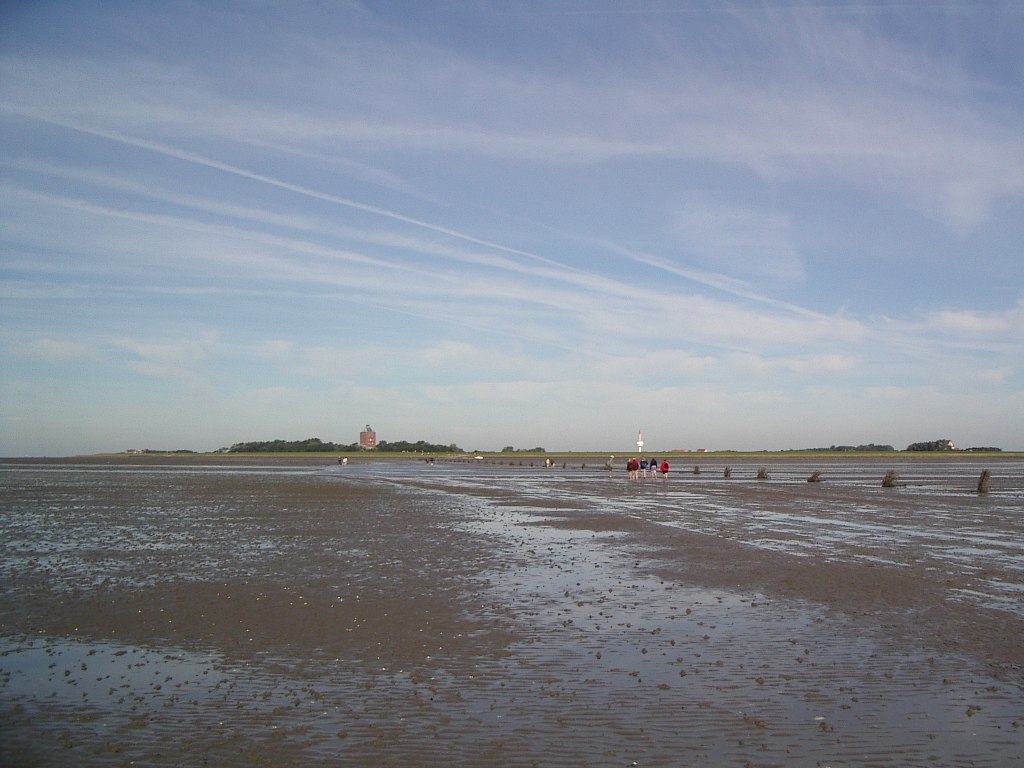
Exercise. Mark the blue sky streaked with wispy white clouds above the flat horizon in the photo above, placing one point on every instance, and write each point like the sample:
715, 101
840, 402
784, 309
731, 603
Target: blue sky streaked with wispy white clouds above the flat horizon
731, 225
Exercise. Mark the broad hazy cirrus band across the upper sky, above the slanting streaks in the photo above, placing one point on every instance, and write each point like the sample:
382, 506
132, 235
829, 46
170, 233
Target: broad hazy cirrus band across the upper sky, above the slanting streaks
867, 112
